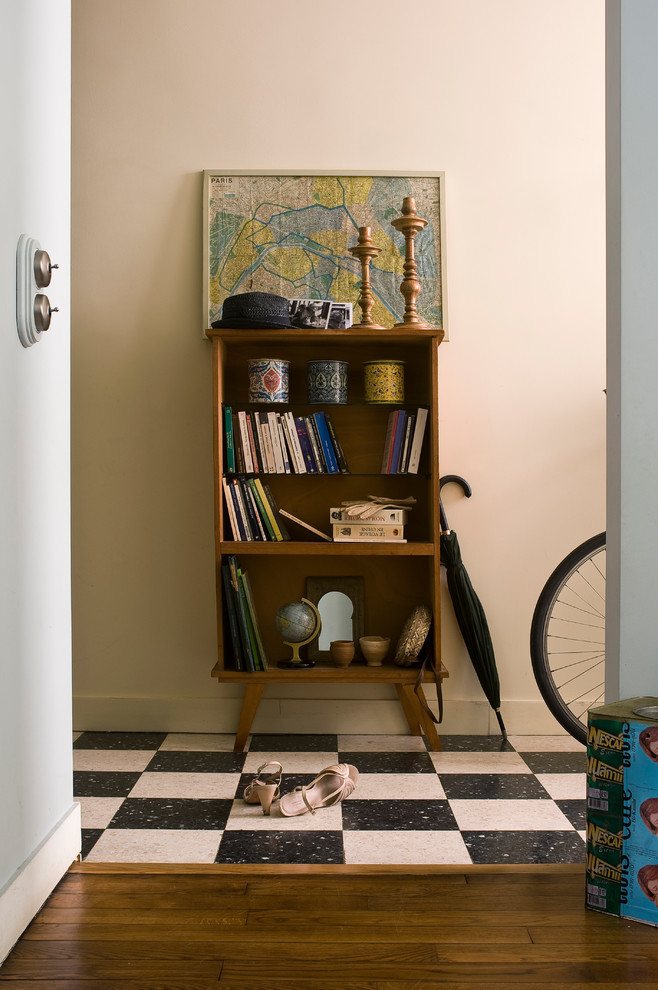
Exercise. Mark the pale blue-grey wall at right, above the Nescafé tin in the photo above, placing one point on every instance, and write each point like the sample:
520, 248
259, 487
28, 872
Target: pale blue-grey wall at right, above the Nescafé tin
632, 348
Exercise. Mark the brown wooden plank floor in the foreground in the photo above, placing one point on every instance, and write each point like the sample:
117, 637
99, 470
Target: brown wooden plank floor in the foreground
343, 928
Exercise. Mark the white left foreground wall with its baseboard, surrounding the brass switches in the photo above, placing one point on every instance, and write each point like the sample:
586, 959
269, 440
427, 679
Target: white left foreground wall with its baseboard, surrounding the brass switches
39, 825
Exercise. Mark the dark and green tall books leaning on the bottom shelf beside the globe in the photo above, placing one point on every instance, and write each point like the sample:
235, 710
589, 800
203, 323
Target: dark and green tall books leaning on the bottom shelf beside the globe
244, 650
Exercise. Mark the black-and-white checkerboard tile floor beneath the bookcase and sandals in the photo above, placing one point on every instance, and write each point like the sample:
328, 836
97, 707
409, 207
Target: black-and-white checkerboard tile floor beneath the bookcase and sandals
149, 797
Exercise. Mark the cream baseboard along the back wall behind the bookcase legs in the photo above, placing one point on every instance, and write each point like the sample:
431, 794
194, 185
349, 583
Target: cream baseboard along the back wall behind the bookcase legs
298, 714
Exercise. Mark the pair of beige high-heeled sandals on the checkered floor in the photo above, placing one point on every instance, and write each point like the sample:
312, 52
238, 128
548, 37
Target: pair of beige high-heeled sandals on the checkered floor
330, 787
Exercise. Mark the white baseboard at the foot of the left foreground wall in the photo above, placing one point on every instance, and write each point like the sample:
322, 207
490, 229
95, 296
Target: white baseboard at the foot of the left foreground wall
35, 880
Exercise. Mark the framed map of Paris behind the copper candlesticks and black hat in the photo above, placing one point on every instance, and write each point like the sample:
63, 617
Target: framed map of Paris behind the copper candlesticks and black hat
290, 235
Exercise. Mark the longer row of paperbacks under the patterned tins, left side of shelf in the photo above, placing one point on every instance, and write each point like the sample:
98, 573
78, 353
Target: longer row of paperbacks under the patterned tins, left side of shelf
258, 442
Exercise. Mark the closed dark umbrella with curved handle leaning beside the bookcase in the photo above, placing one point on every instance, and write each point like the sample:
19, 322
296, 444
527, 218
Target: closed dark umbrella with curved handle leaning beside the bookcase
468, 608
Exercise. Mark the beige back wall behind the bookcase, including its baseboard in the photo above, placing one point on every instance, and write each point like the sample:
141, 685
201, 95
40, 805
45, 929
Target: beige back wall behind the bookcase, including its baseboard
507, 98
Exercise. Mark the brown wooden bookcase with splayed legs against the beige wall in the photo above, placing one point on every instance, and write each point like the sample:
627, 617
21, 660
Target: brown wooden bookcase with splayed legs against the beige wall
396, 576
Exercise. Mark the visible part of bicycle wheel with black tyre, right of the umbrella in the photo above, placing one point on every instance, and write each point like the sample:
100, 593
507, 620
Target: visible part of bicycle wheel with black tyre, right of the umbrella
567, 636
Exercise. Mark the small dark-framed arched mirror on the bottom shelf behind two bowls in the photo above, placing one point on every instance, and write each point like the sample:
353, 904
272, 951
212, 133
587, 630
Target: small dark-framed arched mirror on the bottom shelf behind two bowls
340, 601
